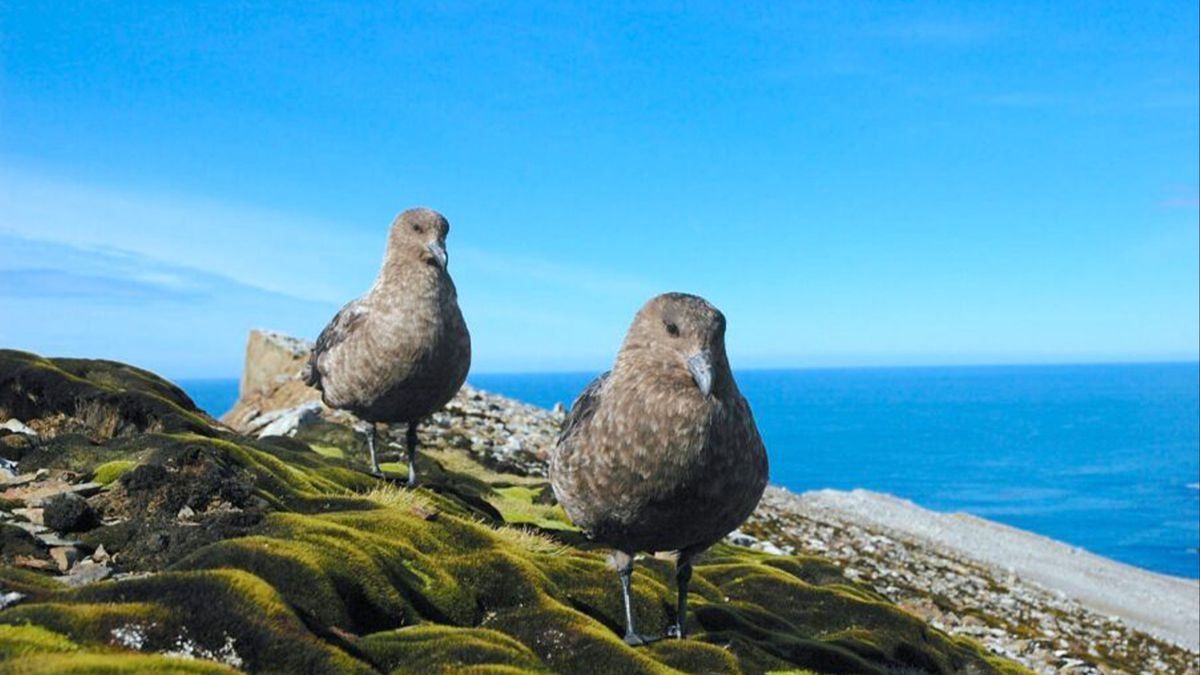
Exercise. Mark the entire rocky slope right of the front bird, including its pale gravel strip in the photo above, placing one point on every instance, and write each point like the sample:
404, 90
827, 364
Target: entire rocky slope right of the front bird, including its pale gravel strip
1046, 605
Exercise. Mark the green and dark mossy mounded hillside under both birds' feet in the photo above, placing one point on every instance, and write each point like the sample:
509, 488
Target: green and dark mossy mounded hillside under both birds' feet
283, 555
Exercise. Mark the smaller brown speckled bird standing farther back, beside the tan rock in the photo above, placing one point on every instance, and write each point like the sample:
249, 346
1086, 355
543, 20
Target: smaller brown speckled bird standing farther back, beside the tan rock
401, 351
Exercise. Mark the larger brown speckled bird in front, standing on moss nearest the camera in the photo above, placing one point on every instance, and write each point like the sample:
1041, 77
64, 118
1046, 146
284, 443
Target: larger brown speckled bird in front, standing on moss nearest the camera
651, 461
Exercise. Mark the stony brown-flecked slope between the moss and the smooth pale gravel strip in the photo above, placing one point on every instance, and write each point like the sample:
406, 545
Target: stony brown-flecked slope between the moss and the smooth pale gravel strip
1045, 631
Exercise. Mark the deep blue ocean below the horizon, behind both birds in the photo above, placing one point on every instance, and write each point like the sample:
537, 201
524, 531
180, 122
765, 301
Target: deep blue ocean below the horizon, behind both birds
1102, 457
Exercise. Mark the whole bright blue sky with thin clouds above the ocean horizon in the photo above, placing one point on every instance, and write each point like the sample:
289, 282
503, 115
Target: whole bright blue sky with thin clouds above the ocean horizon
853, 184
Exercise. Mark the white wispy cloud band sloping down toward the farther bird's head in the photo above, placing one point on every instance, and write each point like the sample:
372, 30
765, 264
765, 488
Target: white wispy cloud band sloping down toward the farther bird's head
257, 248
